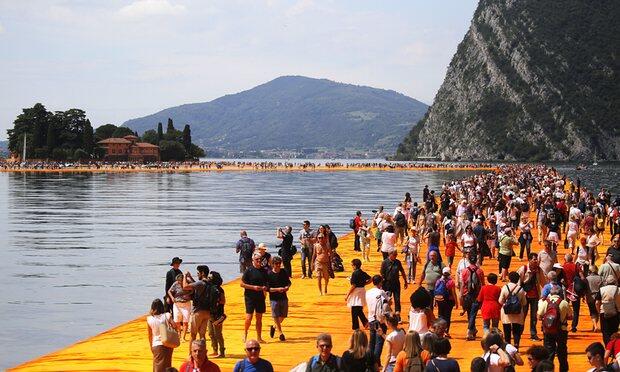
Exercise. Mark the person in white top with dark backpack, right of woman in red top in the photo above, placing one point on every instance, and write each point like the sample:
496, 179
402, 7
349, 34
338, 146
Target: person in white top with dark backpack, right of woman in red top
513, 299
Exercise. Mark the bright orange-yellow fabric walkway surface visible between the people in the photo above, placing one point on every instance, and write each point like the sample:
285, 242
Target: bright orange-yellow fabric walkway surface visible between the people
126, 346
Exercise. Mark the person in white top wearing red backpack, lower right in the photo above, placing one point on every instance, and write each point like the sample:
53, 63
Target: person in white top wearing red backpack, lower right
554, 313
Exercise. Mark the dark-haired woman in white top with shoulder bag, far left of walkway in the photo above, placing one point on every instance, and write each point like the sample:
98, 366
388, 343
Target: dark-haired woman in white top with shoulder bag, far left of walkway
162, 355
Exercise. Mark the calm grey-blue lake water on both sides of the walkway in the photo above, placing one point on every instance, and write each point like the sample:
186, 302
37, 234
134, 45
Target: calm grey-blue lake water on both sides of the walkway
85, 252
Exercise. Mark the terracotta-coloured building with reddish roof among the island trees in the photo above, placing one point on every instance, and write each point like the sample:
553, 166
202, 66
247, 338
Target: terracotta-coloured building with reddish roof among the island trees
129, 149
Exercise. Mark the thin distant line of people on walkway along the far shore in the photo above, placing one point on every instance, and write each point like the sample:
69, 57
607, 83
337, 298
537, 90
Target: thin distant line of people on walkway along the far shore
223, 164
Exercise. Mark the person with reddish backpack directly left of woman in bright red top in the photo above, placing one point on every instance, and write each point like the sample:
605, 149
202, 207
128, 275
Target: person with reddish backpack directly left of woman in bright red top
472, 279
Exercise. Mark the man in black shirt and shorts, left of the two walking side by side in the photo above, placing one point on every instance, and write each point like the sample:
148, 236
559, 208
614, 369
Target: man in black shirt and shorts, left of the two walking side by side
255, 283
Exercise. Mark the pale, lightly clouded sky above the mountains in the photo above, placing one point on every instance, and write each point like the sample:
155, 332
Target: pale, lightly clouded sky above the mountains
122, 59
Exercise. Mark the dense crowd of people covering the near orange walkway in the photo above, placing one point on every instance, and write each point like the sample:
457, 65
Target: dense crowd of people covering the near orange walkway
482, 217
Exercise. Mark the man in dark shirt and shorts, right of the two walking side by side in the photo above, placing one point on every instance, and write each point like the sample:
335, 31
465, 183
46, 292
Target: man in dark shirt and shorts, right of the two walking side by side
279, 283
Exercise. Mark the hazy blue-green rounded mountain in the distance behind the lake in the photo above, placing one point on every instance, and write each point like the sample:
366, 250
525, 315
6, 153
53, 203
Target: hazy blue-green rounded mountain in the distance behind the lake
294, 112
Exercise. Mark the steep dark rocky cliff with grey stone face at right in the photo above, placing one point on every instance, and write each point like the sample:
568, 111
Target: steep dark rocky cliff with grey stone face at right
531, 80
